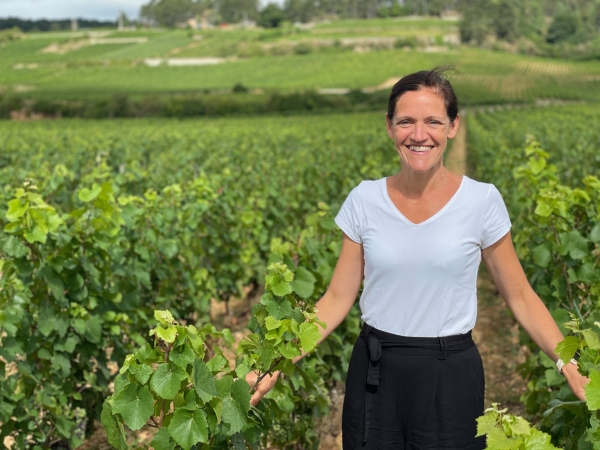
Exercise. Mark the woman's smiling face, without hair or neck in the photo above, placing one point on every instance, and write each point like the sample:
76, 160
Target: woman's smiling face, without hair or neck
420, 129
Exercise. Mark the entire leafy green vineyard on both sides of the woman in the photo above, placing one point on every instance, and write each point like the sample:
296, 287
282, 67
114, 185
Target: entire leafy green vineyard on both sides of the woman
119, 236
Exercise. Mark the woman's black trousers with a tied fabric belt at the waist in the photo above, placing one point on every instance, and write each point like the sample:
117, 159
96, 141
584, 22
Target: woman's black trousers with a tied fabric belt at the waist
407, 393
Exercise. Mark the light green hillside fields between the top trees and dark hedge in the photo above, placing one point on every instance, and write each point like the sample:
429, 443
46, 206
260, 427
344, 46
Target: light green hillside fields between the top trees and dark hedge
341, 55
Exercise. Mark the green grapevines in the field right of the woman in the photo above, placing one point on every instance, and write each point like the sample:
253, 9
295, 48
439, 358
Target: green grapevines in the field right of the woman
545, 164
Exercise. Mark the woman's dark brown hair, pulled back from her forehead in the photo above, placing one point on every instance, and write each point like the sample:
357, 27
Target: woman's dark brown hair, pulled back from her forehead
432, 79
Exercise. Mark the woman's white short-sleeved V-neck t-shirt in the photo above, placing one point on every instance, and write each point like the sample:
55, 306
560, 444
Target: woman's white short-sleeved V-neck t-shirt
420, 279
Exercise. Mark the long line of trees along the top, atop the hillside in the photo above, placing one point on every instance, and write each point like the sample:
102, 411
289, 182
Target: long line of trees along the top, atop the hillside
549, 21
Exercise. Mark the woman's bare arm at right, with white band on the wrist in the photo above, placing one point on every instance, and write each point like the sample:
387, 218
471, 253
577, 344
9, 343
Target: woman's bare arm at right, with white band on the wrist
506, 271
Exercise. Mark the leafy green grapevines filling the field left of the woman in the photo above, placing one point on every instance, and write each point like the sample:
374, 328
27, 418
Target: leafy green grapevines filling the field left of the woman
115, 222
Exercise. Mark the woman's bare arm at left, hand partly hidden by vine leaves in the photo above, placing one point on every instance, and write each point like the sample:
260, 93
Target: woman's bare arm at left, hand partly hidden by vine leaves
333, 307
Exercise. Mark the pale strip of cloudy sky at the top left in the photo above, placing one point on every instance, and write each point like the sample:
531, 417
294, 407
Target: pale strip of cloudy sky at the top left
64, 9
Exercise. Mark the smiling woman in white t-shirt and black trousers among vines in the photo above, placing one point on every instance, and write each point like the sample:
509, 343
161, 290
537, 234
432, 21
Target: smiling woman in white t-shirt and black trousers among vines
415, 379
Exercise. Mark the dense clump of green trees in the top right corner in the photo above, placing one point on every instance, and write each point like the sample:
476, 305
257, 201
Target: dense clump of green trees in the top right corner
549, 21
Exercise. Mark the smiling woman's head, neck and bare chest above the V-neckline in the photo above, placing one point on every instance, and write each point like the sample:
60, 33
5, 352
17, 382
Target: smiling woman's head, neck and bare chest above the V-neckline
422, 115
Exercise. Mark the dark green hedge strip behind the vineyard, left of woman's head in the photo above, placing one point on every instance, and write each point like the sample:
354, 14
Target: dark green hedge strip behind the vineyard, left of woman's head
239, 103
